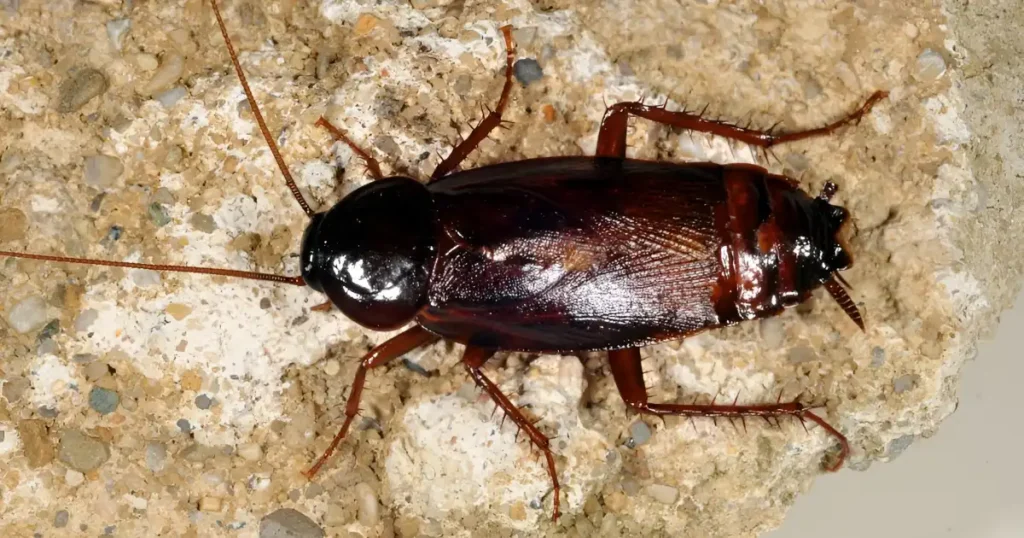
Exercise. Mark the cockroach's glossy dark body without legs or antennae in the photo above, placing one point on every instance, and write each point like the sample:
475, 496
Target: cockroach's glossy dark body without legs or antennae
574, 254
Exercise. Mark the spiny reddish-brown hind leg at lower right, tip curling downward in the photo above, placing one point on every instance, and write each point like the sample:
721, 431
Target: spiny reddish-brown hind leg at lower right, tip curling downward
628, 374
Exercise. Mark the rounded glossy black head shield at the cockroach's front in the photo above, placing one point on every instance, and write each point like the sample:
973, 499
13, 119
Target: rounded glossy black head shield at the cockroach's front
371, 254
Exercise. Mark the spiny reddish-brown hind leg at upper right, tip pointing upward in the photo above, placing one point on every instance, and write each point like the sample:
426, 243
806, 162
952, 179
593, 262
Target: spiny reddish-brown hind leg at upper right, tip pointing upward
612, 140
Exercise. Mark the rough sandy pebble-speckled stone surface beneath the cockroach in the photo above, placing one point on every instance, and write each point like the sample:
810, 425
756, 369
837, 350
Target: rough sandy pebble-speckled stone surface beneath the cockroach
218, 394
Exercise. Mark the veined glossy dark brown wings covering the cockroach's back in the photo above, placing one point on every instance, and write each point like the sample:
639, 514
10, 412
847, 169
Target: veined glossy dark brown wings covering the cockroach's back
569, 255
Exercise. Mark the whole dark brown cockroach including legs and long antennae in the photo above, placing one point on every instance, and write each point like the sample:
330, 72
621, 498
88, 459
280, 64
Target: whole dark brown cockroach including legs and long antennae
567, 255
